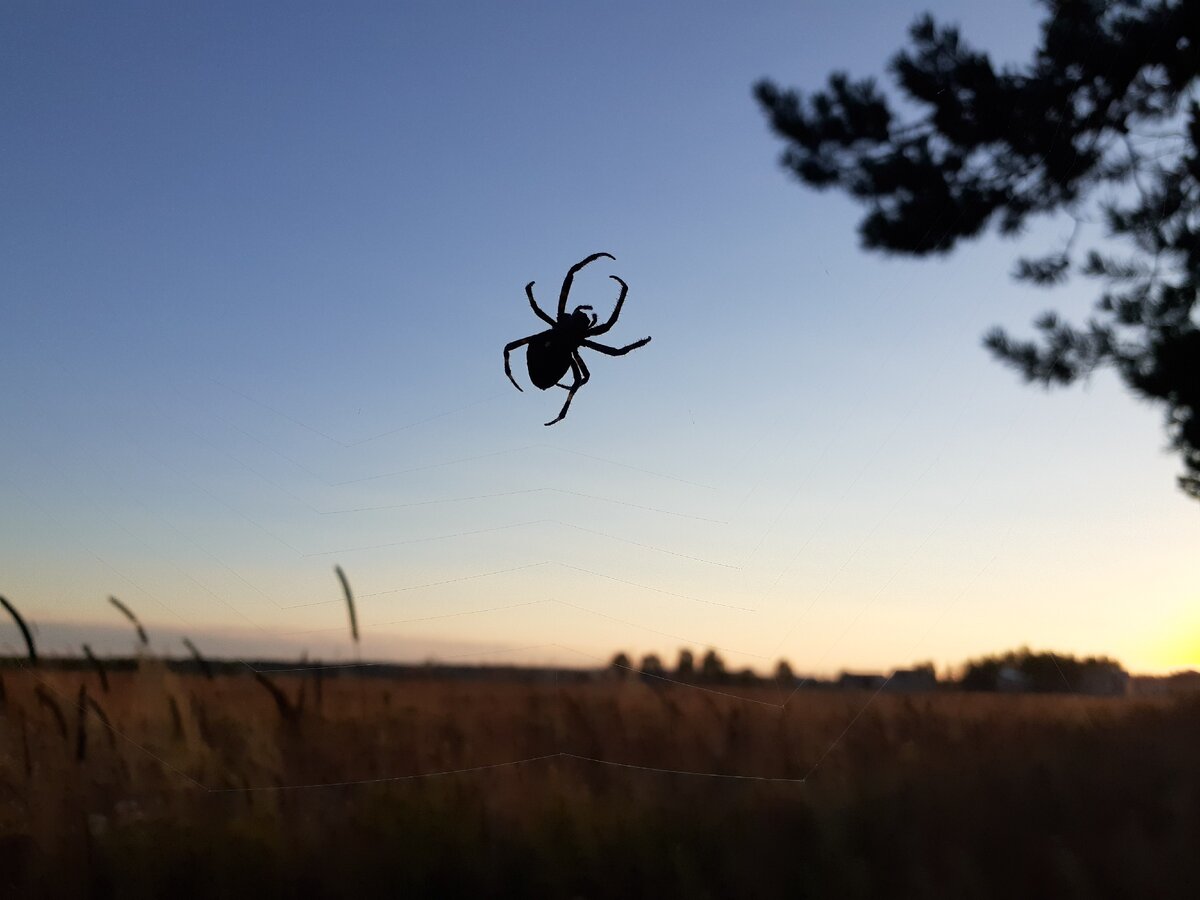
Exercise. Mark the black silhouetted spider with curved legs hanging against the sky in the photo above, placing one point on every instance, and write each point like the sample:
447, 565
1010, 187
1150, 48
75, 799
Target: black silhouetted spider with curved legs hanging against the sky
551, 353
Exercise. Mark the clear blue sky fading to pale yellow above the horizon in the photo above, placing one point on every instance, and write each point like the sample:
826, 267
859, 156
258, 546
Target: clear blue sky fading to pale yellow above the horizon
260, 265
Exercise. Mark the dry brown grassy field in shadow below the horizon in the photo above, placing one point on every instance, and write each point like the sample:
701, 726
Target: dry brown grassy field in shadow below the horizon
212, 788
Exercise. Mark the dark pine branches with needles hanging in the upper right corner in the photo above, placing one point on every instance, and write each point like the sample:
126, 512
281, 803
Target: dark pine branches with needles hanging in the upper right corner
1106, 109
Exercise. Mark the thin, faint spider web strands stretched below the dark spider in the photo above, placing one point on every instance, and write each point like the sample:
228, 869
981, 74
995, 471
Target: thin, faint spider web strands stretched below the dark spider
717, 509
